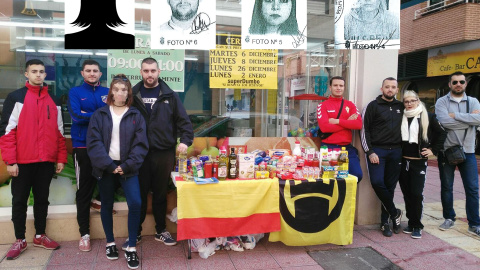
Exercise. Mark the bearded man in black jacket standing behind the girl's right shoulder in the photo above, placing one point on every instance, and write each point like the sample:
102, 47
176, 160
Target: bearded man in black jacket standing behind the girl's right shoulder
166, 120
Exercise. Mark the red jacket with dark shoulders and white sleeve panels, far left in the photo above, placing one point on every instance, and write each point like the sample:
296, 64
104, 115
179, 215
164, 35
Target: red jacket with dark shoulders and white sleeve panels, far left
31, 127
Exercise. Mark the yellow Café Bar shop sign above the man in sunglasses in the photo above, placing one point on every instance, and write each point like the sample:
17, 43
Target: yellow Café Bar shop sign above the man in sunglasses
460, 57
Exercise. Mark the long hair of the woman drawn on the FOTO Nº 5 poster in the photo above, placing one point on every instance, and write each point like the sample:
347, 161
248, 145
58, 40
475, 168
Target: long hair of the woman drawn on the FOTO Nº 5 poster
259, 25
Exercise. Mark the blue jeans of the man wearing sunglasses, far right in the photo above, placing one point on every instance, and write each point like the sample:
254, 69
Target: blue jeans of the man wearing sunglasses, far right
469, 173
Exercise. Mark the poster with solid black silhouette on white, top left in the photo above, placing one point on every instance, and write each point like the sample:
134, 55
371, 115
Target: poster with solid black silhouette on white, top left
89, 26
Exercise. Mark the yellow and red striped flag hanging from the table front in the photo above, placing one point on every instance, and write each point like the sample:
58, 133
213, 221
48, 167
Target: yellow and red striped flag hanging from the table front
231, 207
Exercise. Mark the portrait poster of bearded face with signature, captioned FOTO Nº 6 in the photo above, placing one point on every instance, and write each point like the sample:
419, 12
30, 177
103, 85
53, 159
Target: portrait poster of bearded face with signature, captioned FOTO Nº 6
183, 24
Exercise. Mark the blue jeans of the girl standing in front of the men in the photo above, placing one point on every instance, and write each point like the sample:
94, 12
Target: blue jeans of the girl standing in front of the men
131, 189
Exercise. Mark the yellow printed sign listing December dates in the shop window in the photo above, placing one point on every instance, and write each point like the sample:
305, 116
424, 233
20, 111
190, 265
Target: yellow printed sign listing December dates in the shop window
232, 67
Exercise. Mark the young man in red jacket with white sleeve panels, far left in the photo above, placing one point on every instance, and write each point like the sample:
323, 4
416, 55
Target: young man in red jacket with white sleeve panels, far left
31, 142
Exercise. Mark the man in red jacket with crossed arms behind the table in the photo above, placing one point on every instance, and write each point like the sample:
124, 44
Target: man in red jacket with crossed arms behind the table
340, 126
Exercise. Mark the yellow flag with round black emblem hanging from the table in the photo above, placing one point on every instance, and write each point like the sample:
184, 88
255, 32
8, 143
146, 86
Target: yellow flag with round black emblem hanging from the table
316, 212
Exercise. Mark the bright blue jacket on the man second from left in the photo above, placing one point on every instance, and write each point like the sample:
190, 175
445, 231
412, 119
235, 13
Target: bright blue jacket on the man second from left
86, 98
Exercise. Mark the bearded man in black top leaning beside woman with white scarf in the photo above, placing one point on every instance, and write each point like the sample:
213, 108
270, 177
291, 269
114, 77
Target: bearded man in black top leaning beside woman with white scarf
382, 140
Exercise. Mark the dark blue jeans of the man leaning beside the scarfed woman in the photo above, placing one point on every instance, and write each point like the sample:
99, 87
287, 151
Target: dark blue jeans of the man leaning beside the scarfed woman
384, 178
